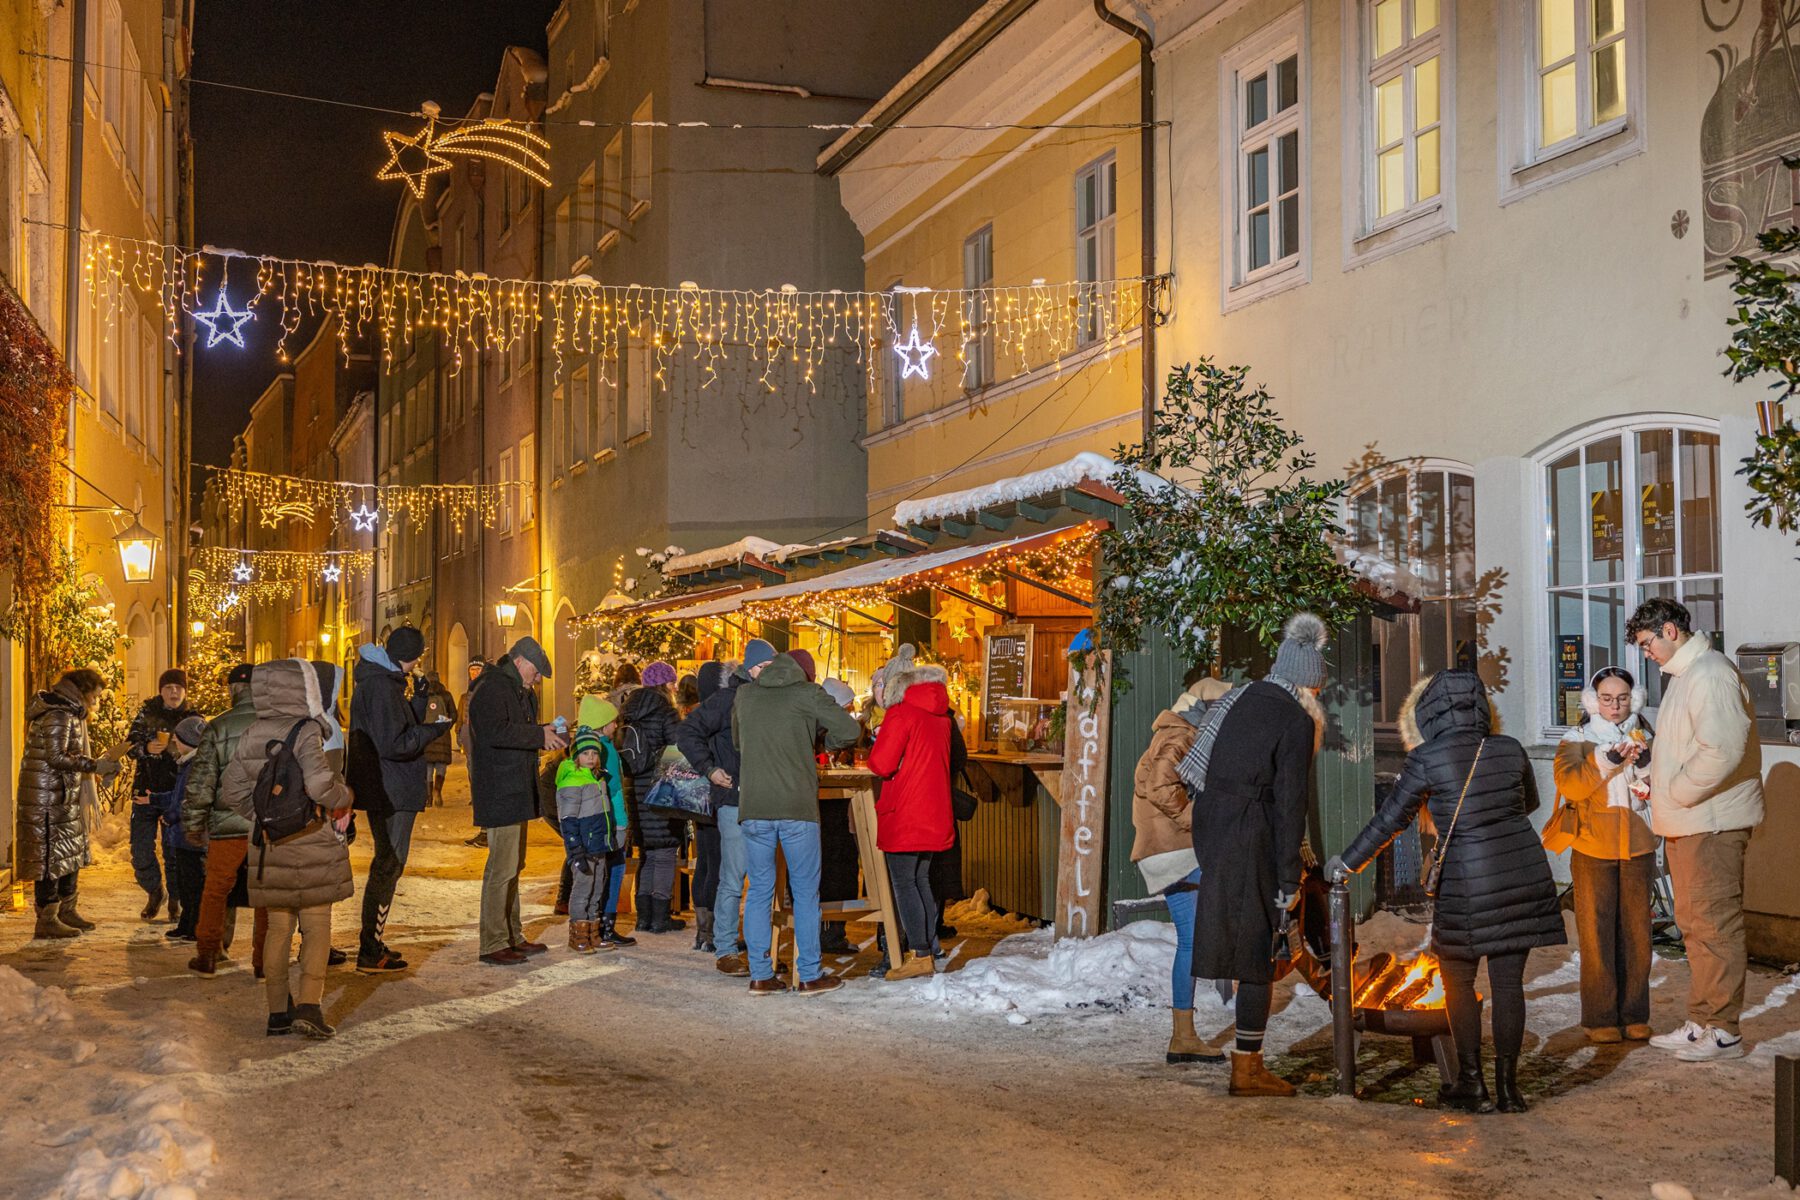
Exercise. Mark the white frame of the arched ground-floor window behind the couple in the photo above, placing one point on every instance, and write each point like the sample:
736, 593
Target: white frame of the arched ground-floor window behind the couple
1626, 429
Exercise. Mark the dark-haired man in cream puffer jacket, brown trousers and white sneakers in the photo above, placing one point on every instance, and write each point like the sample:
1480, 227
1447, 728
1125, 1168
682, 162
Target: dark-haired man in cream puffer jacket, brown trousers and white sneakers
1705, 800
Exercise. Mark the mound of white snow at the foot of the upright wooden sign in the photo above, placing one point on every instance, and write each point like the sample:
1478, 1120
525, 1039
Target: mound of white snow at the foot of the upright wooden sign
1032, 976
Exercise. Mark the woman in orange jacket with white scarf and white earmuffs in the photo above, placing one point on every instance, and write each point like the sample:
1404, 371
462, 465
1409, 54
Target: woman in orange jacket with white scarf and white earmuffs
1603, 775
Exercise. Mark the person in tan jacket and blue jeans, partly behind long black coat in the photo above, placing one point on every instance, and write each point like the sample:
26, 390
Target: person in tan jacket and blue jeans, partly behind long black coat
1164, 850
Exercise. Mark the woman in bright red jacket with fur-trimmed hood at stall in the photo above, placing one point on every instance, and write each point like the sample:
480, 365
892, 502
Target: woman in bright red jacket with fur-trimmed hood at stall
917, 751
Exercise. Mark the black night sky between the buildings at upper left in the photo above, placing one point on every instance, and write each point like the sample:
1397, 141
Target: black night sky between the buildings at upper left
296, 177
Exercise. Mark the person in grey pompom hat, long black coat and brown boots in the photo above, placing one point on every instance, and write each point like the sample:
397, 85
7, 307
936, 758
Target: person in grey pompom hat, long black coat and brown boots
1250, 766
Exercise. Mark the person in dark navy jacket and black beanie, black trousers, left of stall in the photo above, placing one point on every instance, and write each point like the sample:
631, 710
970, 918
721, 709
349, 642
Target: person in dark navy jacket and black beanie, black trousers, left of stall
390, 776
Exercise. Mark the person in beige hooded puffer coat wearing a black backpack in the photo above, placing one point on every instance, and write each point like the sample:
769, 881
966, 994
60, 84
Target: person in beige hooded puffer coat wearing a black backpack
298, 809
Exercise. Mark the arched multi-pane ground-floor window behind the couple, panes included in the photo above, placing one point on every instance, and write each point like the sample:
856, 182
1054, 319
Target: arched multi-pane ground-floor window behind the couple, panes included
1630, 515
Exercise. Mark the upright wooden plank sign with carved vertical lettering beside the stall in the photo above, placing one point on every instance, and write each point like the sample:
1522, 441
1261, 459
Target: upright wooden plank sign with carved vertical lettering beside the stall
1081, 850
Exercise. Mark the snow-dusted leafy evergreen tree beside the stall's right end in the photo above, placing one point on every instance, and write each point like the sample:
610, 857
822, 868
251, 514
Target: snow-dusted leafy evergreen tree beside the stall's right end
1243, 542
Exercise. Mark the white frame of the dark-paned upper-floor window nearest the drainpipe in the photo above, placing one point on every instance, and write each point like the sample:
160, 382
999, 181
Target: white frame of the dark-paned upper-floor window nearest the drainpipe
1254, 57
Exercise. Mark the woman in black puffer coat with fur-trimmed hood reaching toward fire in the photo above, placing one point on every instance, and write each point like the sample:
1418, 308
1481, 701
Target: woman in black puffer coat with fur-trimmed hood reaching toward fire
1497, 899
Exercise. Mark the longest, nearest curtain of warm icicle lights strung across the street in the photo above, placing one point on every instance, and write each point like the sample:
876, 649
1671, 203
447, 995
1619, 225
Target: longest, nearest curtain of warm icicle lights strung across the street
1029, 327
